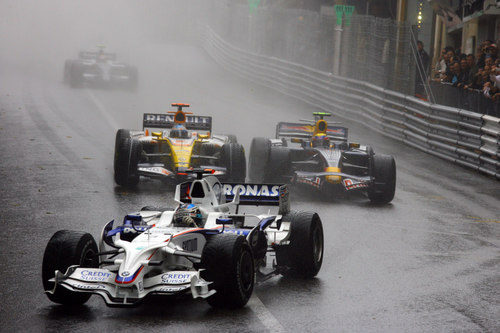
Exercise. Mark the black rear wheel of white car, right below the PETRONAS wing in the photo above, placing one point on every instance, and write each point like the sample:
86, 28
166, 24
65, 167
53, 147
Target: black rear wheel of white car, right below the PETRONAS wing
304, 255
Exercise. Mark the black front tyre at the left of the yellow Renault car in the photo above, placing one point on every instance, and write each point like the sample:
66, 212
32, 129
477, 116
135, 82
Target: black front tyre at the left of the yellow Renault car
127, 158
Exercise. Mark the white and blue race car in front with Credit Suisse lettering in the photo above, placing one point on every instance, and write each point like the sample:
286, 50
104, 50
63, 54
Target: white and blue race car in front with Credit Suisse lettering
203, 247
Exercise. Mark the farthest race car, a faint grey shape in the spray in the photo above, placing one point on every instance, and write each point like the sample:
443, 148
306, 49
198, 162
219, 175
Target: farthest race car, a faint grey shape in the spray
99, 69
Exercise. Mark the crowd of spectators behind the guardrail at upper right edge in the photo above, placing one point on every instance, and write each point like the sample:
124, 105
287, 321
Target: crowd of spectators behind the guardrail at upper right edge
469, 72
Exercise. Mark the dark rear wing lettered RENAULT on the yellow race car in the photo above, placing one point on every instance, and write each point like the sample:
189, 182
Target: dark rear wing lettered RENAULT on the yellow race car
158, 120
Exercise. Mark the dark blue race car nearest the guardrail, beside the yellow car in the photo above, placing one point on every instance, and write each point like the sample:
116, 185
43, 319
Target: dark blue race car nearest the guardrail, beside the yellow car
323, 159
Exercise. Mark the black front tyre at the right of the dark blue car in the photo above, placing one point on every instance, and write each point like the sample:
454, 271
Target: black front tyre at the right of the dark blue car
384, 183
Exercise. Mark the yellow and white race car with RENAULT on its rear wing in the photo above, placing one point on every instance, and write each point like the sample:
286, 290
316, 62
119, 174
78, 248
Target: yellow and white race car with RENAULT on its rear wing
171, 144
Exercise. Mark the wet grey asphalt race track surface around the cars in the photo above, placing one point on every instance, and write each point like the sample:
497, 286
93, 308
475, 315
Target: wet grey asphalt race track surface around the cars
427, 262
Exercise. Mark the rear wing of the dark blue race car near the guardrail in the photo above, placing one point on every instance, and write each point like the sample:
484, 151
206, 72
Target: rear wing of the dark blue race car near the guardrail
301, 130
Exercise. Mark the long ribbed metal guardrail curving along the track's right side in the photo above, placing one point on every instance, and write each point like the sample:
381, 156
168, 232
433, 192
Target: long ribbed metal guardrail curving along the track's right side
463, 137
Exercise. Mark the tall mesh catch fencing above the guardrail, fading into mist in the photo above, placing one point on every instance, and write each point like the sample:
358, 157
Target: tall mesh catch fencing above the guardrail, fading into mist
373, 50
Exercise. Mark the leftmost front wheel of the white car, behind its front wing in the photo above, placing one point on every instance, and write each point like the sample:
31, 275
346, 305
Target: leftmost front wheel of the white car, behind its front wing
67, 248
